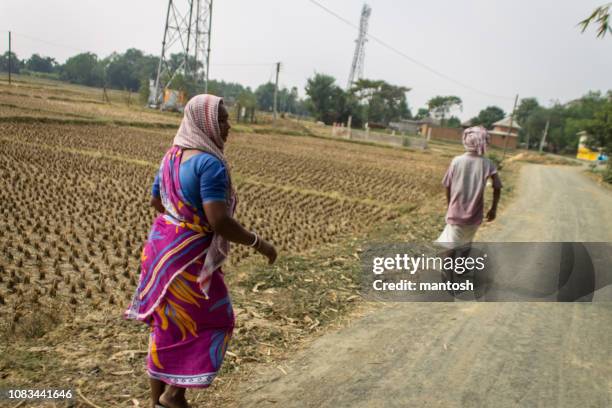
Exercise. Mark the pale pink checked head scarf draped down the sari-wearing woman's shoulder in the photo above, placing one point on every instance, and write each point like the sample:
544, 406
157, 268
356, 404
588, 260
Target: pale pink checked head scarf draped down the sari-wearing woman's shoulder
200, 130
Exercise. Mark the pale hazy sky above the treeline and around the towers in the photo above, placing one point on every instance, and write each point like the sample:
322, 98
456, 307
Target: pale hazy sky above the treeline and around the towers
529, 47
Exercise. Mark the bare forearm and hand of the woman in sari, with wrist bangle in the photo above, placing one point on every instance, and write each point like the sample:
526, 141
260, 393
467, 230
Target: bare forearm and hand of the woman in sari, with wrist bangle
232, 230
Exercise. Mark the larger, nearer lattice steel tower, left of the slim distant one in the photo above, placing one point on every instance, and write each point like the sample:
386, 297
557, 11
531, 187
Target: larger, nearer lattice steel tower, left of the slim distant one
187, 32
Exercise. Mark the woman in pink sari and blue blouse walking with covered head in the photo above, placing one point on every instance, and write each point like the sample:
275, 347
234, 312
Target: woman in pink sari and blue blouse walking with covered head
181, 293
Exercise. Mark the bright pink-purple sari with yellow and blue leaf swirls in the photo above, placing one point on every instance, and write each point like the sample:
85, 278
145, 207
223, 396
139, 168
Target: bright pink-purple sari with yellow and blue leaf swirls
191, 318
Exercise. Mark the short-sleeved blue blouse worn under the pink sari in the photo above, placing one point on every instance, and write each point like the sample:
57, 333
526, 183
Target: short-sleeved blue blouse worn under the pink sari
203, 179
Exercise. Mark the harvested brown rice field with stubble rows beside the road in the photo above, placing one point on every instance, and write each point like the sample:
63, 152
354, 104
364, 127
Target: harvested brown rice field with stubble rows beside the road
74, 200
